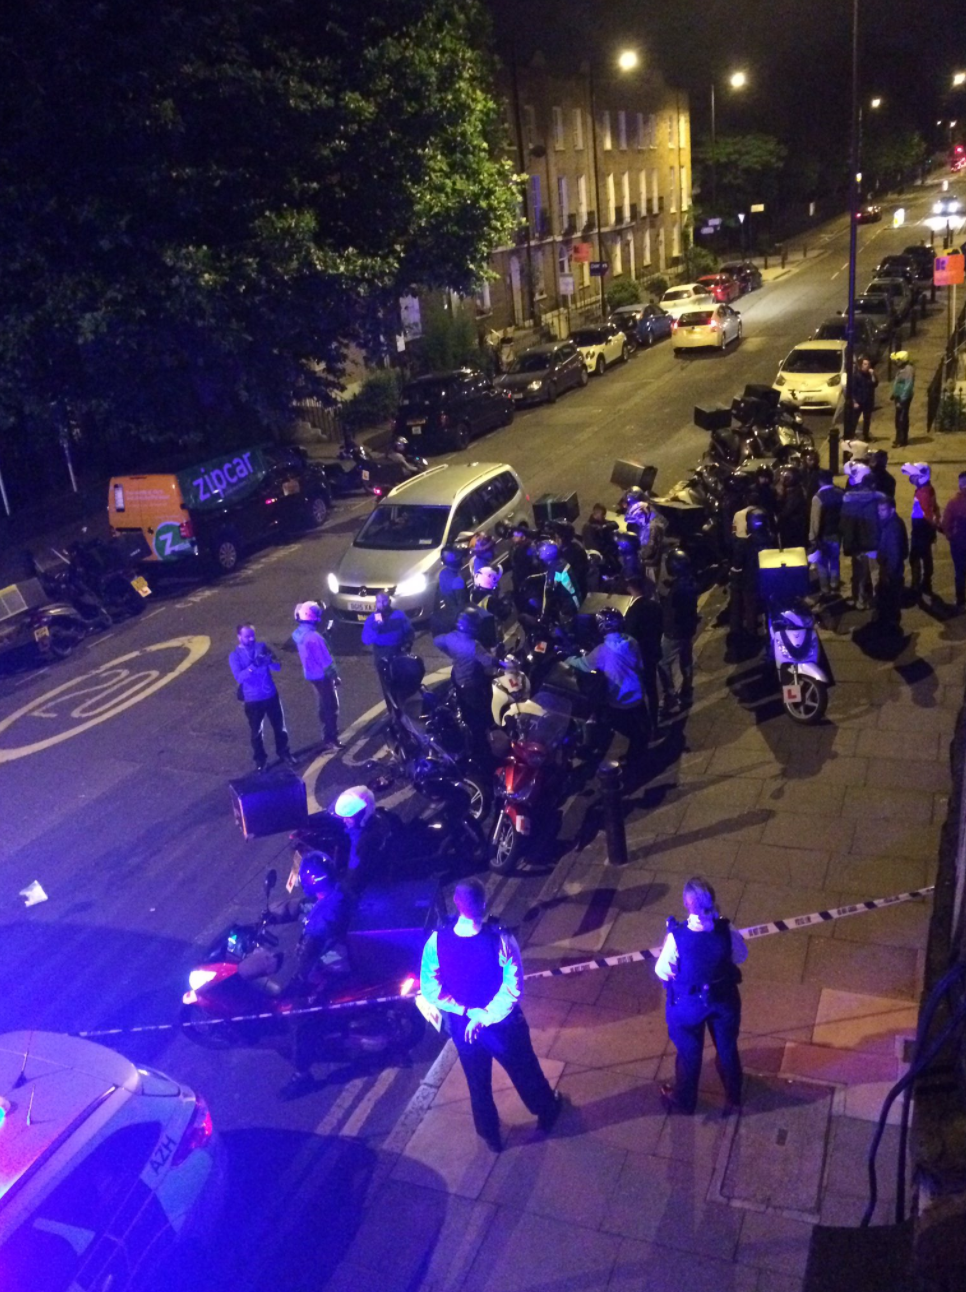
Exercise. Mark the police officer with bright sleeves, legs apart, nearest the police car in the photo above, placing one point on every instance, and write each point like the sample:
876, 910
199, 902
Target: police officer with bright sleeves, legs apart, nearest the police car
473, 974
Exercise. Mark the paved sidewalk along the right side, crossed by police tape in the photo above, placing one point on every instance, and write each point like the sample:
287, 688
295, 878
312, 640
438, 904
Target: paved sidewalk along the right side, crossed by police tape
785, 821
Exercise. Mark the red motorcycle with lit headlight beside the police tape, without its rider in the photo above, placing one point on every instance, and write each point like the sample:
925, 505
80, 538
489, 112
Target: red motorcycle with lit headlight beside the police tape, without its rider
365, 1002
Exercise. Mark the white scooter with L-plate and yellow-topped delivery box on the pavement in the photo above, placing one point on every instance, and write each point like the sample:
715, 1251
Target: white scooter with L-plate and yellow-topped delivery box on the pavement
795, 645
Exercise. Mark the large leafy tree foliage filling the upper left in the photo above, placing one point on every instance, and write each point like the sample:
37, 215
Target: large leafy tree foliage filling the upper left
205, 203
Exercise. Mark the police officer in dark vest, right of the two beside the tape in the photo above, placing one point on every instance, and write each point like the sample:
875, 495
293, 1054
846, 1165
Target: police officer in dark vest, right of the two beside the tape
699, 968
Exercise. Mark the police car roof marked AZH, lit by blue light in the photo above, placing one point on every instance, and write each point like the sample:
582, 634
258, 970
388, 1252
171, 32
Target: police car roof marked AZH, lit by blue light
103, 1165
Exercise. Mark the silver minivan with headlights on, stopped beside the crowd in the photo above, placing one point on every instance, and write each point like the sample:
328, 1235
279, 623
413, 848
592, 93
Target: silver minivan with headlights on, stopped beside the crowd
398, 548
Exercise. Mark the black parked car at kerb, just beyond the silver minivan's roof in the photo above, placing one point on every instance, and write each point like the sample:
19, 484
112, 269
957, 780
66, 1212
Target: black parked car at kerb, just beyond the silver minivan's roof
447, 410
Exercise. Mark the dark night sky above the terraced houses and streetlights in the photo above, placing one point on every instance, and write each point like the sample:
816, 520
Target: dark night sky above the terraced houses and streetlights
797, 54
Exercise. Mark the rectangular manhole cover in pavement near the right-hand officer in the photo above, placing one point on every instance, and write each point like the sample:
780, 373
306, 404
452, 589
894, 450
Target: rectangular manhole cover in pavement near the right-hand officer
776, 1158
